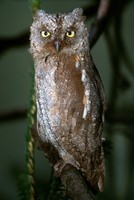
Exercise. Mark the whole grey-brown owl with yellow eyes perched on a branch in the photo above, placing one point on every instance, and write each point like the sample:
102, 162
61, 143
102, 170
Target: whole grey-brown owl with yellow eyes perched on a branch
70, 98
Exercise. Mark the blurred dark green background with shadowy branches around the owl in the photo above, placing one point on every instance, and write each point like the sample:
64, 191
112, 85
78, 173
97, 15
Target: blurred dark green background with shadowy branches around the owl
113, 55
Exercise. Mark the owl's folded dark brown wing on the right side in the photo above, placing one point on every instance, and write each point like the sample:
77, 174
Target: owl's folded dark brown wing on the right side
94, 156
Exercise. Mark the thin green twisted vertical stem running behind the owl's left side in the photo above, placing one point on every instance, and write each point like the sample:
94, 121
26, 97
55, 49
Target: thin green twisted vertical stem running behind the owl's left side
30, 182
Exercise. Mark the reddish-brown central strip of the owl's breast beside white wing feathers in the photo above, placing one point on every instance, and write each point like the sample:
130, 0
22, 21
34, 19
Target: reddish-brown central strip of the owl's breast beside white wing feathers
70, 90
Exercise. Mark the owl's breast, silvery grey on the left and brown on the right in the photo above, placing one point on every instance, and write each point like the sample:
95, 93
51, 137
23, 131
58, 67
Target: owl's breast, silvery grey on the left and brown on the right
61, 93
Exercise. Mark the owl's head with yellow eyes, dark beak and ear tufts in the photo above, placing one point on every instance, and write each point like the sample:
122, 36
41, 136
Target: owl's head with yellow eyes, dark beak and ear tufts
55, 33
